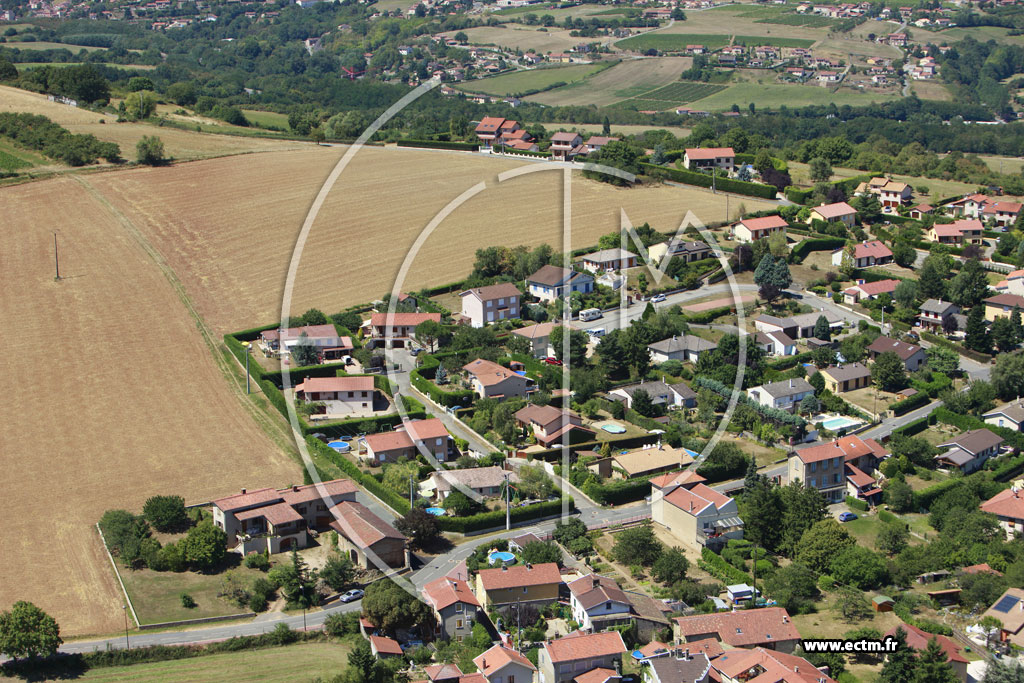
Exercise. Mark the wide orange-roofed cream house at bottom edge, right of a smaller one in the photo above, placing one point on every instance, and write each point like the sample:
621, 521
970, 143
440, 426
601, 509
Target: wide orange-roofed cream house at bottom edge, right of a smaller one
564, 660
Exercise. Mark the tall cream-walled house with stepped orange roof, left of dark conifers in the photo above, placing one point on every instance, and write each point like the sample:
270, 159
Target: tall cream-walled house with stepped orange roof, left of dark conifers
694, 513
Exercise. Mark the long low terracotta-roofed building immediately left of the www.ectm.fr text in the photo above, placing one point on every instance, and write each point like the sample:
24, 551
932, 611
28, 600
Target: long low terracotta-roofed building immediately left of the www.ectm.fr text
769, 628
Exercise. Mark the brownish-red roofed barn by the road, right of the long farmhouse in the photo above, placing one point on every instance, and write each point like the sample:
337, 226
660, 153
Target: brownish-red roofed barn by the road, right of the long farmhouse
368, 540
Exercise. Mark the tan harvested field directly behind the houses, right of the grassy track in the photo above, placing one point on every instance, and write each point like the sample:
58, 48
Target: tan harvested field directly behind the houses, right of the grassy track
228, 227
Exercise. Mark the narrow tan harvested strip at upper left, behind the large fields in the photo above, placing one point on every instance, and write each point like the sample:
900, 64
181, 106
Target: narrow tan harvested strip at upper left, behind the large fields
184, 145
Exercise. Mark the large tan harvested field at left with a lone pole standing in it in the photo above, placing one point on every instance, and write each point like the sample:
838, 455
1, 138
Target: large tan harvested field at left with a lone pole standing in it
115, 397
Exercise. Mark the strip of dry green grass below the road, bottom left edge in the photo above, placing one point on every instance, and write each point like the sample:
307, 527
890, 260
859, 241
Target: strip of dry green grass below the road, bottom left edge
303, 662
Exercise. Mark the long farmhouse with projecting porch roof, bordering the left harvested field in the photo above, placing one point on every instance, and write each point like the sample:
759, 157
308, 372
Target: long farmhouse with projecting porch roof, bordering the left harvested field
273, 521
